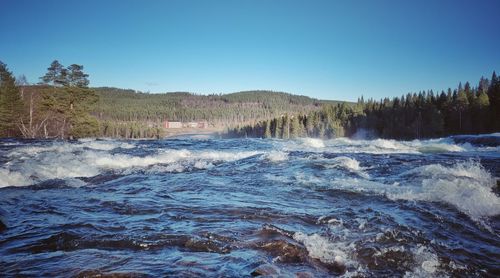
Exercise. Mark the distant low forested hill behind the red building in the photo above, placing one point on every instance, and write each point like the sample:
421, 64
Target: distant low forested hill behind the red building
218, 109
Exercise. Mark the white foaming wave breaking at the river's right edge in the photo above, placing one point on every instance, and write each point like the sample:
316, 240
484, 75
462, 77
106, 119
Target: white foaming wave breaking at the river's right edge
465, 185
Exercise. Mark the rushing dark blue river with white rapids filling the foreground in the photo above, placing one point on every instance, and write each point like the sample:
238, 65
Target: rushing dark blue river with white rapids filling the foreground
207, 207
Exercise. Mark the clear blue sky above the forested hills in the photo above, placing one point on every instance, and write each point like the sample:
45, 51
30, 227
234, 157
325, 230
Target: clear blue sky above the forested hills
324, 49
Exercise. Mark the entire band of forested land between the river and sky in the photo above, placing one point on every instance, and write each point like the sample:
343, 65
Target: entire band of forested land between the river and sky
63, 106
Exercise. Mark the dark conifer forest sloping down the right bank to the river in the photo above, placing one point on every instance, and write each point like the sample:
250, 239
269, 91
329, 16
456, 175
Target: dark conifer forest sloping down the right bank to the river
426, 114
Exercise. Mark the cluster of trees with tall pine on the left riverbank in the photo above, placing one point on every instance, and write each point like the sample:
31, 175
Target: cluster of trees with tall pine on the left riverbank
58, 107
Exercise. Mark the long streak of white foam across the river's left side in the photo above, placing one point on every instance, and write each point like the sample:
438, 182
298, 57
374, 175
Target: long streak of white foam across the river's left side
89, 158
